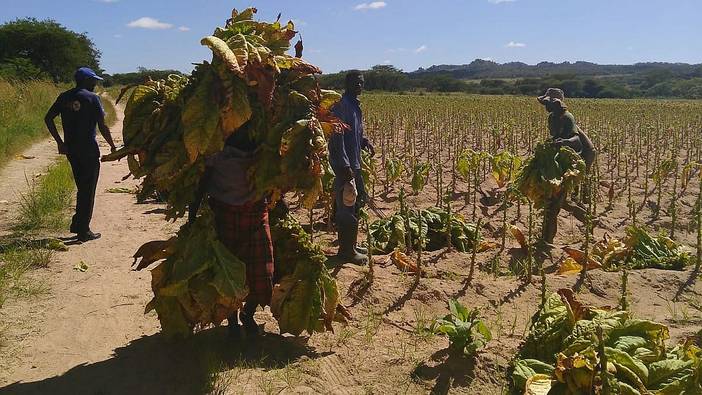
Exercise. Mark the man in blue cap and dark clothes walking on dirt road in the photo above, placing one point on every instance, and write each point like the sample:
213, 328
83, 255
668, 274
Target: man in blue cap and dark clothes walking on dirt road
81, 111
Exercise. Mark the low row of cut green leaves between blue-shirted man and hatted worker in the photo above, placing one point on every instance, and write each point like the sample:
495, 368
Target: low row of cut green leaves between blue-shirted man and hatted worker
401, 228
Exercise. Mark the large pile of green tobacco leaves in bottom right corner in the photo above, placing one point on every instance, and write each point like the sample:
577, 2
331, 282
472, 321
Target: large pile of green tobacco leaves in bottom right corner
562, 355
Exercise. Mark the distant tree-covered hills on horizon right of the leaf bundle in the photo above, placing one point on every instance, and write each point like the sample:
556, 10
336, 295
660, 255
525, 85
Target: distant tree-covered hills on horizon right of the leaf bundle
579, 79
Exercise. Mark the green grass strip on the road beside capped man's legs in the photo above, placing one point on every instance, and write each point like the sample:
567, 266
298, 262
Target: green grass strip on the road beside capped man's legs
45, 204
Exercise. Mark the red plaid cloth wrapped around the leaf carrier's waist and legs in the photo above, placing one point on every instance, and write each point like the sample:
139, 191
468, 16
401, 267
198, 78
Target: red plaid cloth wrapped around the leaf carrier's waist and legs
245, 231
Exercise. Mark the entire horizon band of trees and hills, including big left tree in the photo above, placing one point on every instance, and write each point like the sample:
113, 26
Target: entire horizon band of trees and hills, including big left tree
34, 49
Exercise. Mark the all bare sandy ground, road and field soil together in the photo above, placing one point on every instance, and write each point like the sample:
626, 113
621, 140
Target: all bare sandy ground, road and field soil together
88, 334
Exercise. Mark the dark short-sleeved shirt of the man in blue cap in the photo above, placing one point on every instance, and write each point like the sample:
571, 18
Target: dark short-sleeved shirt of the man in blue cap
80, 111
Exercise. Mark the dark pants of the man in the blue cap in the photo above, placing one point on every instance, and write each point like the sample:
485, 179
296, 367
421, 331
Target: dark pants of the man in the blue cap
86, 169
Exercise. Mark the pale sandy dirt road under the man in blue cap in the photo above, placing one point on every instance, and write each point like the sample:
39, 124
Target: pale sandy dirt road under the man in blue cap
69, 336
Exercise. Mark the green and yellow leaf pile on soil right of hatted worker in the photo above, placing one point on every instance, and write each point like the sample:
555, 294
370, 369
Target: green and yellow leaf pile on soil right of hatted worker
637, 250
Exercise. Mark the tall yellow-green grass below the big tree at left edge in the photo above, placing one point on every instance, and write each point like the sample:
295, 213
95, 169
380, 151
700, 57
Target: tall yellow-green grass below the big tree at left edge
22, 109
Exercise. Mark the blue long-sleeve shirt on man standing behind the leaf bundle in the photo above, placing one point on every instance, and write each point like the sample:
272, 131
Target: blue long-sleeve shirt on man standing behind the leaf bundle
345, 148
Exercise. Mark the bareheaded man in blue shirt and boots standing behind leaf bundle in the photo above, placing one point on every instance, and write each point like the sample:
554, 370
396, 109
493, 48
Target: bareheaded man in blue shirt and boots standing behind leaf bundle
345, 159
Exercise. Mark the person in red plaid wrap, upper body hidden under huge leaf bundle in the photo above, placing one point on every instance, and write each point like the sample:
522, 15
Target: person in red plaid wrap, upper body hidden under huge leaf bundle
242, 223
